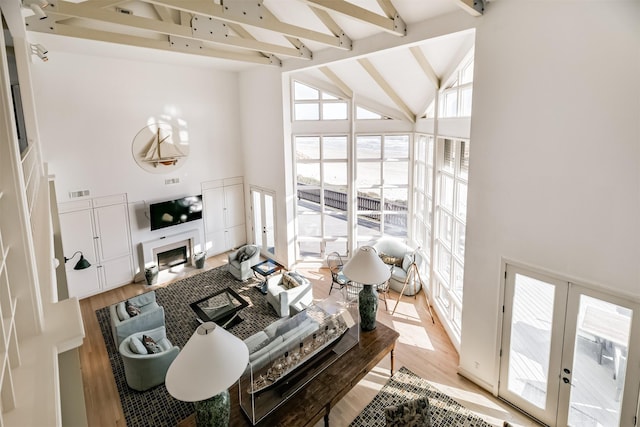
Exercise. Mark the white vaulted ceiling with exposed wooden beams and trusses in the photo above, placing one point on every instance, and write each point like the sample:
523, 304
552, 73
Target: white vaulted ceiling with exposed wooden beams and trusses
335, 43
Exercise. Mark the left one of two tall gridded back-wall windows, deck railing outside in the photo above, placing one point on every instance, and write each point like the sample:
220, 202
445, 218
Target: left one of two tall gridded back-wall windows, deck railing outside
322, 188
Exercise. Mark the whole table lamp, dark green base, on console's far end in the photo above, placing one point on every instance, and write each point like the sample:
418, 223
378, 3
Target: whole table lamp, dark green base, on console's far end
367, 268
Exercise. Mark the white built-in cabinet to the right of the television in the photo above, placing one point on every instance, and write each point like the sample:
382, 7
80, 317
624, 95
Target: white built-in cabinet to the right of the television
224, 217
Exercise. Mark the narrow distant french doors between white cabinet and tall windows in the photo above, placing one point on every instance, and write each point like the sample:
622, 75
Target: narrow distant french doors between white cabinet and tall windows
263, 210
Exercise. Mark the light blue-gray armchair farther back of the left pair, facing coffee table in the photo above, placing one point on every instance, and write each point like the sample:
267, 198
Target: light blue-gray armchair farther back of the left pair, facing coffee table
151, 316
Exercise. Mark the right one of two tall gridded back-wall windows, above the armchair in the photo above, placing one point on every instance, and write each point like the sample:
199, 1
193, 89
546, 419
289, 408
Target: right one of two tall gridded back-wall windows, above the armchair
382, 185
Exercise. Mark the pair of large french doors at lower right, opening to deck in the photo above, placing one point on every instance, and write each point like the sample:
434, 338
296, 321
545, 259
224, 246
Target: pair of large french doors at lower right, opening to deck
570, 354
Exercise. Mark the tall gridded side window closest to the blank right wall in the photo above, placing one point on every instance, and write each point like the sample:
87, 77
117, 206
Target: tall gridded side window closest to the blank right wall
450, 225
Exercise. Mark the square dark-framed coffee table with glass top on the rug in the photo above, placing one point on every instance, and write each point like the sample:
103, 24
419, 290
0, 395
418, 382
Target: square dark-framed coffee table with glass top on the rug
221, 308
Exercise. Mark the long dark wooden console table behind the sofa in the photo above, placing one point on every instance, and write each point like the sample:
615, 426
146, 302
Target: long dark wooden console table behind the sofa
314, 401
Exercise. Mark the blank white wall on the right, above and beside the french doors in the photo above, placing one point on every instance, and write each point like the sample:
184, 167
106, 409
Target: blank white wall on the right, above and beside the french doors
555, 154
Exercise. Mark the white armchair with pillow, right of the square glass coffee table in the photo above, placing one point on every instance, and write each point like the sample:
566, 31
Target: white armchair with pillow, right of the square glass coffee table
289, 300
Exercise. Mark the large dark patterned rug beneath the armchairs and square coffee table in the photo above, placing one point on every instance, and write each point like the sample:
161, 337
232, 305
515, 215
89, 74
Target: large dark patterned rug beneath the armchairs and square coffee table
155, 407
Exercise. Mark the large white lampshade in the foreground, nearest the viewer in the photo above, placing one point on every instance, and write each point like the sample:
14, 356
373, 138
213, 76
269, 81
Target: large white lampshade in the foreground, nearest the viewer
210, 362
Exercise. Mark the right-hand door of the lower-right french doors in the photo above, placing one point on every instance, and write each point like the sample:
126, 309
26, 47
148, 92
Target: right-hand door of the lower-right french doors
597, 350
